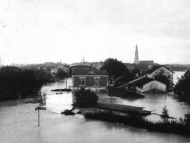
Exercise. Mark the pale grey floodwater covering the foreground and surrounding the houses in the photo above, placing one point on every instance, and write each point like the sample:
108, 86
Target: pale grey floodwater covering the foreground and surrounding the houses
18, 121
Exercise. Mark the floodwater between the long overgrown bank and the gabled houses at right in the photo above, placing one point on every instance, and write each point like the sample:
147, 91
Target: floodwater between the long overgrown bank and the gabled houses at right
154, 102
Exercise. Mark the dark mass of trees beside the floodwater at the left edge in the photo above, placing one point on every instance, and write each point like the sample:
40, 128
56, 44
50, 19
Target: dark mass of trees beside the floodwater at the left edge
17, 83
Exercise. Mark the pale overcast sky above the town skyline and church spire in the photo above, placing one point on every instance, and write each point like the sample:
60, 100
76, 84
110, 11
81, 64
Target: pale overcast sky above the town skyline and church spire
36, 31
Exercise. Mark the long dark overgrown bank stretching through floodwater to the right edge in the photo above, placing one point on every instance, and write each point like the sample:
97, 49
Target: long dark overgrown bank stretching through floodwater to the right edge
165, 126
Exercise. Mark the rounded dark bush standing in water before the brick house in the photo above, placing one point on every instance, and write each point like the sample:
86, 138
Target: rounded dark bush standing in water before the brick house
85, 98
